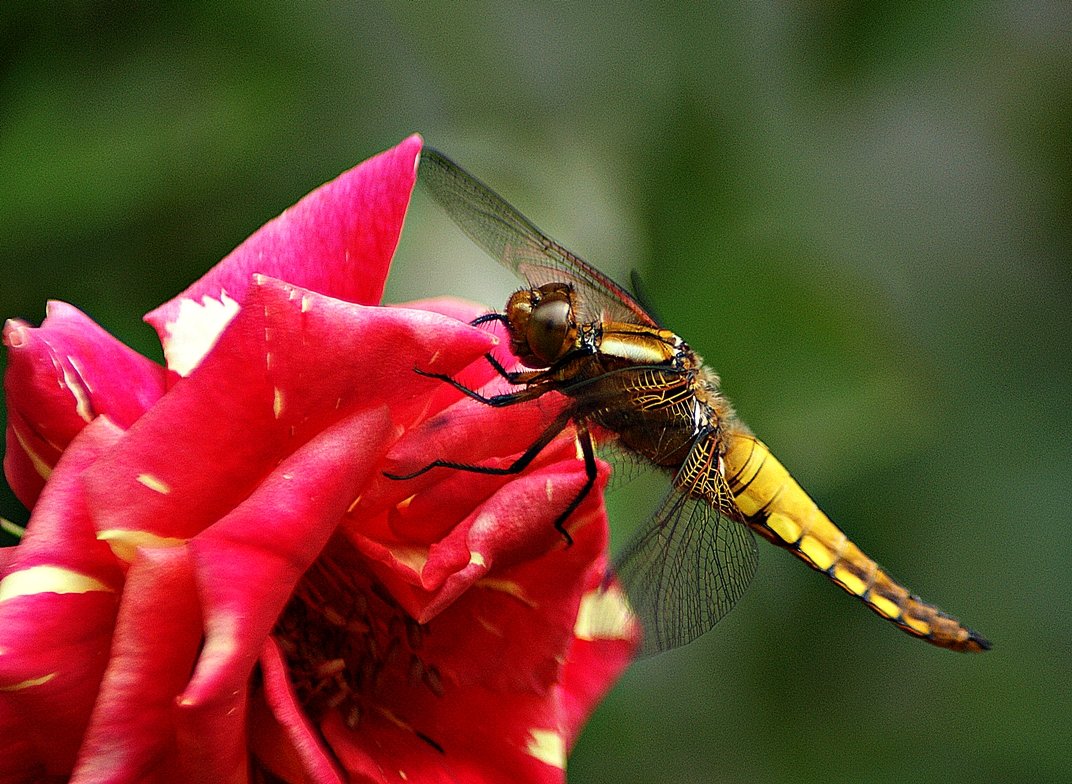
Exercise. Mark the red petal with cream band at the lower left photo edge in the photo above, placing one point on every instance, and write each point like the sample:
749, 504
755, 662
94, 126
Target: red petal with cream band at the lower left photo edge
58, 602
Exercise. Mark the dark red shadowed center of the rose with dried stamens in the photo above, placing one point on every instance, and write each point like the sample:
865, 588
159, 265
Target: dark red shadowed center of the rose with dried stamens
345, 638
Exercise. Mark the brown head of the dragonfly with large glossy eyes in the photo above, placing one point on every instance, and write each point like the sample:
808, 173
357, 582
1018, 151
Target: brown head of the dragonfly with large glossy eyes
542, 324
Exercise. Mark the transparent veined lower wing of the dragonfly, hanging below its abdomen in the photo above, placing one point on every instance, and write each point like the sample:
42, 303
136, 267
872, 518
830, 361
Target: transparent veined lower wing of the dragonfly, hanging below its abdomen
687, 569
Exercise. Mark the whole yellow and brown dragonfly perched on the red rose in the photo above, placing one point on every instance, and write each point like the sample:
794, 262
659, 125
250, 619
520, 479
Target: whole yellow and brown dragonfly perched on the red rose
638, 389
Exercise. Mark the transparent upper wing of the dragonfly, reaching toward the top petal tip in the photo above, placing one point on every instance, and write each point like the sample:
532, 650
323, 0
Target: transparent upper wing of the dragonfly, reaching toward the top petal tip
512, 240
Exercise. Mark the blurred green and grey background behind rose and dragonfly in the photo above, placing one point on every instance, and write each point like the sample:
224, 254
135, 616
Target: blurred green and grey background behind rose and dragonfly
859, 213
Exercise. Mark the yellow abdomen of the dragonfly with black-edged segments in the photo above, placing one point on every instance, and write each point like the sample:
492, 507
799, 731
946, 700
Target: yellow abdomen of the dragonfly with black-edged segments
776, 507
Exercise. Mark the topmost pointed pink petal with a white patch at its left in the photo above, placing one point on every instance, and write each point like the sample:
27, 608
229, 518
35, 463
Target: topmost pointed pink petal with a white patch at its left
338, 241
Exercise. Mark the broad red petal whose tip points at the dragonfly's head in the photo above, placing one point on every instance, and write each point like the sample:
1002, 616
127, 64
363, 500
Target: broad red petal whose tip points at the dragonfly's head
289, 366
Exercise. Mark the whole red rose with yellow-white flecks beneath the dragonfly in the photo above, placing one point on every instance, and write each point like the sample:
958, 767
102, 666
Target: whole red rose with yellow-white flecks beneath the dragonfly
219, 584
